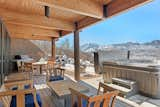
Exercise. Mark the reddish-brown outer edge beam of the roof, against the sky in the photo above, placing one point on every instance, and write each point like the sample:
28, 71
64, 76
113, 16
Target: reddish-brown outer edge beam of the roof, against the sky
113, 8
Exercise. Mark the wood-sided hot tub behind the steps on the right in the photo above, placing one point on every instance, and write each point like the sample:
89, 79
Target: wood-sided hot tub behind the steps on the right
147, 78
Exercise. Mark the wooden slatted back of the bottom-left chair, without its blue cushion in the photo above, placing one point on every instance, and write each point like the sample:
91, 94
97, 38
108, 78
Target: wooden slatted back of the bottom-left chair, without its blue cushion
7, 92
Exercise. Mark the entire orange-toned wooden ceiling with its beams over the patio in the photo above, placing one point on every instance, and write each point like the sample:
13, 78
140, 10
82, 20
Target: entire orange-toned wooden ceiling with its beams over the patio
25, 18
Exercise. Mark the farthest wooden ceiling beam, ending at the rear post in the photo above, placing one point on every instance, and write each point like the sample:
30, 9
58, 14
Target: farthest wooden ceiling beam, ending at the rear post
29, 37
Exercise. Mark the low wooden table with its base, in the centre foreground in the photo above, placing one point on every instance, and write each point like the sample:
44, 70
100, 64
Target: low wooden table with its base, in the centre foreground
61, 92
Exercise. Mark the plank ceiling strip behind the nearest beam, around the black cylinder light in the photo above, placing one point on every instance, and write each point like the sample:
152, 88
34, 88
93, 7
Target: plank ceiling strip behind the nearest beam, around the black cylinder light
31, 7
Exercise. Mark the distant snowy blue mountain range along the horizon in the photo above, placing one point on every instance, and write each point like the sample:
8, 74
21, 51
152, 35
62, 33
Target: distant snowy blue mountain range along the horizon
91, 47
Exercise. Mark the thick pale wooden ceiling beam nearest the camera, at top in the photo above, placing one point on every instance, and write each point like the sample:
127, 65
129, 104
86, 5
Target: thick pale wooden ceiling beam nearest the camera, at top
83, 7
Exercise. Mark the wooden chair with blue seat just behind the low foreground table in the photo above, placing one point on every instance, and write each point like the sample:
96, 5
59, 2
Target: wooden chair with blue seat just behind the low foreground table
54, 74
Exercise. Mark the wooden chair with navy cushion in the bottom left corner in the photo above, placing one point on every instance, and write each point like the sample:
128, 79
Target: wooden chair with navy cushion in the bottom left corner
19, 94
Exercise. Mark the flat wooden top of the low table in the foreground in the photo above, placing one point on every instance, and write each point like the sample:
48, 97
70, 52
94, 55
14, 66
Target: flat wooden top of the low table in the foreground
61, 88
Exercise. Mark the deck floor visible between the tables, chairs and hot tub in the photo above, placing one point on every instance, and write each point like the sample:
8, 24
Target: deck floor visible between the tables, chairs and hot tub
92, 83
